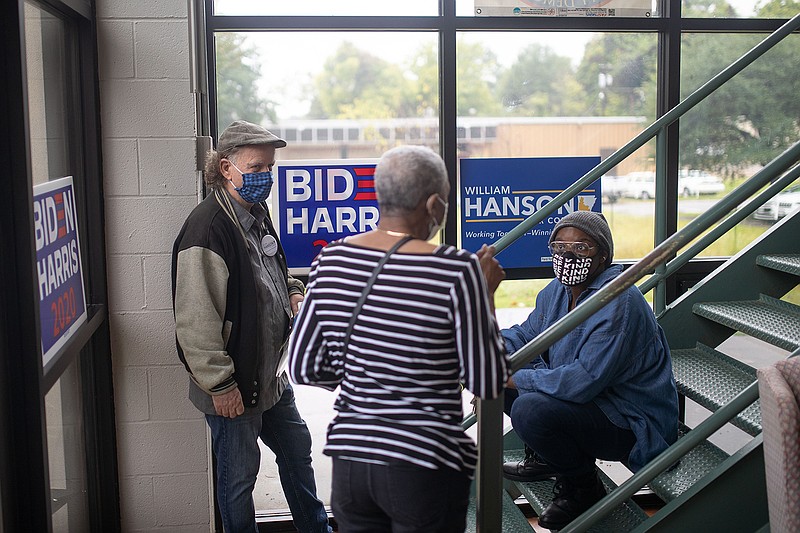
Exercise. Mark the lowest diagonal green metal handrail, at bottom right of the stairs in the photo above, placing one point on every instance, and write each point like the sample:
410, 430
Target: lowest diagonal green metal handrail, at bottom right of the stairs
667, 458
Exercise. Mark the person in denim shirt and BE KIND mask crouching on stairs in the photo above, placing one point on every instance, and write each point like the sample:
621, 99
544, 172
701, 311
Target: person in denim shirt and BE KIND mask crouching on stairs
604, 391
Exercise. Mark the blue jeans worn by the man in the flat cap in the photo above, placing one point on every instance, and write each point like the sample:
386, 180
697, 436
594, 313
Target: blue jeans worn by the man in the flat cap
235, 443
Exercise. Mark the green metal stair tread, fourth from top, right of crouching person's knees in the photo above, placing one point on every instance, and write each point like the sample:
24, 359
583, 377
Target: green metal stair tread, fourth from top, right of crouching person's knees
700, 461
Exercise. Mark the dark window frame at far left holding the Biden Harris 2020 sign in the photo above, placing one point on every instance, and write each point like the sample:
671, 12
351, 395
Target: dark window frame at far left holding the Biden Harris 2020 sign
25, 497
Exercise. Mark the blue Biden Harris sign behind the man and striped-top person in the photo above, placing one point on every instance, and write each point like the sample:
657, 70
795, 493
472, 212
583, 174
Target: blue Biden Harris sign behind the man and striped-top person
321, 201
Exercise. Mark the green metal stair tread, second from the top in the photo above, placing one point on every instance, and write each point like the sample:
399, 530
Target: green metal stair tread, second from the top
769, 319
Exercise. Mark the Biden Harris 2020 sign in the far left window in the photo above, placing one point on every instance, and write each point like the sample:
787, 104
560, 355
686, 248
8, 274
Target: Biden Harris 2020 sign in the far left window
62, 303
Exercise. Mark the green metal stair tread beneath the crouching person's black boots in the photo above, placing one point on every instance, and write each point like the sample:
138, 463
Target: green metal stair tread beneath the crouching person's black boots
540, 493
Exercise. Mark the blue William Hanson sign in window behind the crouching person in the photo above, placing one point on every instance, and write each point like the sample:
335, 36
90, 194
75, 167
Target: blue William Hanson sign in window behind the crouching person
499, 193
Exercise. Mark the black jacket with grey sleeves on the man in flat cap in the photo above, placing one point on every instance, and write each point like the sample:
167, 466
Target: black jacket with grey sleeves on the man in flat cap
214, 298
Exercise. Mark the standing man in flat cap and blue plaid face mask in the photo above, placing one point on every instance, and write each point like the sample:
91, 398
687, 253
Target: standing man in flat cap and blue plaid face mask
234, 301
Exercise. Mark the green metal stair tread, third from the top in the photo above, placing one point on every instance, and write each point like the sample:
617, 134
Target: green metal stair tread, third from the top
712, 379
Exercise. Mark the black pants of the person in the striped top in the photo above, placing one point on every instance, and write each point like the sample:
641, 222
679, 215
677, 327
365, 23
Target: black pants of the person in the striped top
372, 498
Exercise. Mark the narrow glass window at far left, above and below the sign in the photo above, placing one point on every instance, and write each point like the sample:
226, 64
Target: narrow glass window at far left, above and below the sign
50, 86
